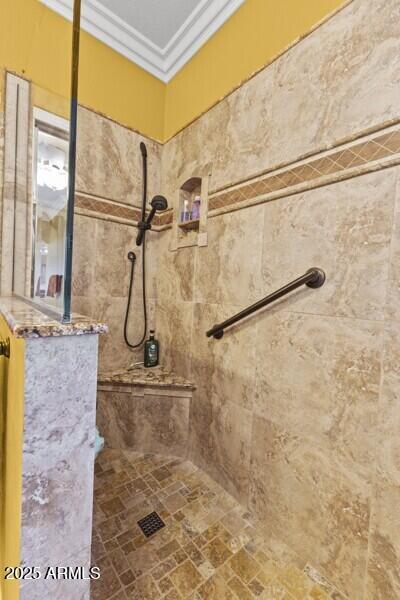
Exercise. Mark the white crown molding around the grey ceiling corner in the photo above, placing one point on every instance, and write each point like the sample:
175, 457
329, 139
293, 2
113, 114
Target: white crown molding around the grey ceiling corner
163, 63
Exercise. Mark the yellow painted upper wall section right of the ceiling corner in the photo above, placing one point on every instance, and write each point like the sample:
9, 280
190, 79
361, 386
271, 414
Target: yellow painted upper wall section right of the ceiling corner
256, 33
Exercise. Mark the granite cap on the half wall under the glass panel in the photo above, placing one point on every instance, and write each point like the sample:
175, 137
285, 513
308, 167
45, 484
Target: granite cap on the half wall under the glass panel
26, 321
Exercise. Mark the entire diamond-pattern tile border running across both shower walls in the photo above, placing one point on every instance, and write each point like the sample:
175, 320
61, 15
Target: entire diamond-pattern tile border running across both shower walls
372, 152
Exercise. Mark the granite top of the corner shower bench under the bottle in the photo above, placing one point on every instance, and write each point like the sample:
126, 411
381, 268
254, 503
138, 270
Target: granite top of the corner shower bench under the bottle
145, 377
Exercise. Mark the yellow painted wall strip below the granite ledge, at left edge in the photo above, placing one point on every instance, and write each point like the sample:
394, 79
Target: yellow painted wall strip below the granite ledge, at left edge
11, 428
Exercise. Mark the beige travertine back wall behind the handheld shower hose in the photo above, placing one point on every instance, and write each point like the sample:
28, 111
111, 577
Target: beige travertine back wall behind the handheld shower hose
109, 167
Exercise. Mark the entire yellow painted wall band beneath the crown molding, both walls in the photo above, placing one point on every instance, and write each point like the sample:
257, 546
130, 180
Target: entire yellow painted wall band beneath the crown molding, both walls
35, 42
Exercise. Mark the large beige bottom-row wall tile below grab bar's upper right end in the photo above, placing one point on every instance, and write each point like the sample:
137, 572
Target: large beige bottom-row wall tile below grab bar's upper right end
310, 503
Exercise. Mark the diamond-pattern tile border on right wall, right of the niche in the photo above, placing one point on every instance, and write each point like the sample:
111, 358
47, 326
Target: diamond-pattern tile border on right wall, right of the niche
371, 153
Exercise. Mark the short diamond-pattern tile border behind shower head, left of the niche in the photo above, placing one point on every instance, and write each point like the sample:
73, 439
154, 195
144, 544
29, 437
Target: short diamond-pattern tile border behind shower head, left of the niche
94, 206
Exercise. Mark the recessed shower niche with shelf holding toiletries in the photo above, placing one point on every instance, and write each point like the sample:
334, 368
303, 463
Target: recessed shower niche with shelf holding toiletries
191, 213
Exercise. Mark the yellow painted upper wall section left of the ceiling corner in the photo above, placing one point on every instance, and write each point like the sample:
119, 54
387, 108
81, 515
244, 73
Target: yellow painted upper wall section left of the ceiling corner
35, 42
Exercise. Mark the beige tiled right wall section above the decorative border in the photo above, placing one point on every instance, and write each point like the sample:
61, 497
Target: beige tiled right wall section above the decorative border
273, 117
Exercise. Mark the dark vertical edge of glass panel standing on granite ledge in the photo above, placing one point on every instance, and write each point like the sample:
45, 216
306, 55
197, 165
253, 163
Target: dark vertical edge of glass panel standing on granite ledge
76, 29
